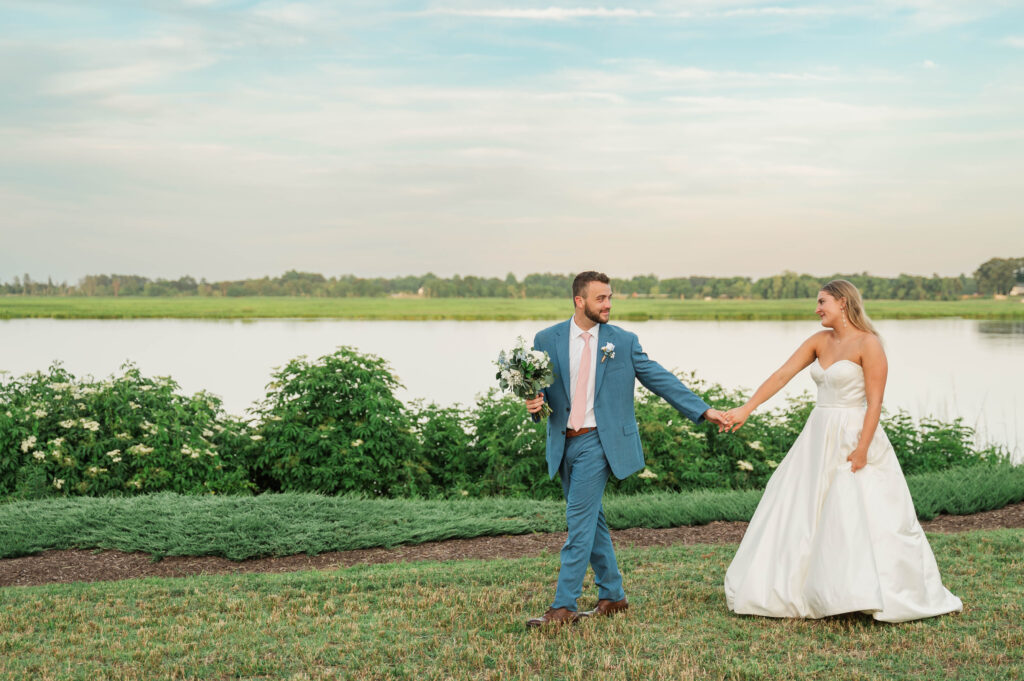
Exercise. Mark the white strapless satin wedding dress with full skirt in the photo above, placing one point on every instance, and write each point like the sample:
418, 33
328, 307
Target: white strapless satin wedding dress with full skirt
826, 541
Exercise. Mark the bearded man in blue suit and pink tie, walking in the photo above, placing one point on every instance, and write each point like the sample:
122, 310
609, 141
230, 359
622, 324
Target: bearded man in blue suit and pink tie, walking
592, 433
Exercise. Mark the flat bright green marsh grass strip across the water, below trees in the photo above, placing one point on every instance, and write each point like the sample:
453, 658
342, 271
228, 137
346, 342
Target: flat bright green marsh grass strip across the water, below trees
478, 309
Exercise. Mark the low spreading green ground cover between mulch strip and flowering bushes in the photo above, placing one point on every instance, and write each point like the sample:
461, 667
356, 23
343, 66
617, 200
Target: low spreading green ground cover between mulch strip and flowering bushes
240, 528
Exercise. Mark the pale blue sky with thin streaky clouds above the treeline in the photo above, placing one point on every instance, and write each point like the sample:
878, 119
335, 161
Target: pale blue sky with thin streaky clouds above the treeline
230, 140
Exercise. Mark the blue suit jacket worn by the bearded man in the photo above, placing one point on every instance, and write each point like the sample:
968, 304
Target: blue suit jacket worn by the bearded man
614, 396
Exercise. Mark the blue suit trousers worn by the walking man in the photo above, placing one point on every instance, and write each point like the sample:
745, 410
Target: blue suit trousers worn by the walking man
584, 473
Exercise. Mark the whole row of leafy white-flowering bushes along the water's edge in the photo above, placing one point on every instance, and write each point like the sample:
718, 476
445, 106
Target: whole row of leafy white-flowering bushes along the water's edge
334, 427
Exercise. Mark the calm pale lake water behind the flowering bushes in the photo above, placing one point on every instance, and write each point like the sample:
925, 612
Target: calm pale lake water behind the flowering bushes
942, 368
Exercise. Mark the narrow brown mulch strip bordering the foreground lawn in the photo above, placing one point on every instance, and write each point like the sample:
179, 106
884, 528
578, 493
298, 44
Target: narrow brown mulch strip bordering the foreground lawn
79, 566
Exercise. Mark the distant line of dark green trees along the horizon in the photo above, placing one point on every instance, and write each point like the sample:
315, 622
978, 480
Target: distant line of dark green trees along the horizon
998, 276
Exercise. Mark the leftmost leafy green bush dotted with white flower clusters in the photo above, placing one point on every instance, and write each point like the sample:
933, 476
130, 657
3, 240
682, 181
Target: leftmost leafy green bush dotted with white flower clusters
122, 436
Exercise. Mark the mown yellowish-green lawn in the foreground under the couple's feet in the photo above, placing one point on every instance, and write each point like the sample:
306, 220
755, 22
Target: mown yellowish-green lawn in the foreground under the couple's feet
465, 621
